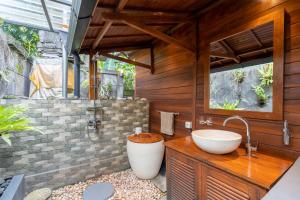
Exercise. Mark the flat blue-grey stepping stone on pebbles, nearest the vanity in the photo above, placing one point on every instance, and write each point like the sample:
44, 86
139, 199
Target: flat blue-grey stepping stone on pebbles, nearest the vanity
98, 191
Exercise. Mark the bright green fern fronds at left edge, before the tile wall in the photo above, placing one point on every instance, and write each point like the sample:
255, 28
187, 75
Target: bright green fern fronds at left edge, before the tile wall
12, 119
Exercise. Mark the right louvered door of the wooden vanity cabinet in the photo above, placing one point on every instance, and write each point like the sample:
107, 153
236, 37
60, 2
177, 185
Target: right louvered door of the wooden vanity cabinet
218, 185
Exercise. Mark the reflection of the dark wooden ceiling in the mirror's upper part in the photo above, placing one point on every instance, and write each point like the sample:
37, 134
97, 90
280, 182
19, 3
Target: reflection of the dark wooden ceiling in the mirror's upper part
244, 46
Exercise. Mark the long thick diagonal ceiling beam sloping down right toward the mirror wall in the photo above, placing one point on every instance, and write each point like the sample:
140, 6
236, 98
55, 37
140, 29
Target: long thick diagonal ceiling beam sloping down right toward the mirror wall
148, 30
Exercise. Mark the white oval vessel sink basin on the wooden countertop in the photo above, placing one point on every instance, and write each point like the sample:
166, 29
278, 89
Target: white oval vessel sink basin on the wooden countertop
216, 141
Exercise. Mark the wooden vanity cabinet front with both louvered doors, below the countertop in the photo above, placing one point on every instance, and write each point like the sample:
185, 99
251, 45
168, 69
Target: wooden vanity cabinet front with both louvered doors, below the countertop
190, 179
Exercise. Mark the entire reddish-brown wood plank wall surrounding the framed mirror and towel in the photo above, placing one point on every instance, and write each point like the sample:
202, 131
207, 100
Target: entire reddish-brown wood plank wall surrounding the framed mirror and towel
171, 87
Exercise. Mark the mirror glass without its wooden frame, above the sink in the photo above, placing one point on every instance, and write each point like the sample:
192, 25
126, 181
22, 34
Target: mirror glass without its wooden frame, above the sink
241, 70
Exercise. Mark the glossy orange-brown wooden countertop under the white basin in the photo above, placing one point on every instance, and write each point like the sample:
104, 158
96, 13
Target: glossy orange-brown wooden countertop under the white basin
262, 170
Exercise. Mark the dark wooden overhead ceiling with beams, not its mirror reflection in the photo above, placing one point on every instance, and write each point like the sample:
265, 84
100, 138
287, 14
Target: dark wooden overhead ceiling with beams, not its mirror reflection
118, 24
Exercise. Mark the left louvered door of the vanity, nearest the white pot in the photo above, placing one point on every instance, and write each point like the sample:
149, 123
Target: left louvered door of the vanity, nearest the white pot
181, 177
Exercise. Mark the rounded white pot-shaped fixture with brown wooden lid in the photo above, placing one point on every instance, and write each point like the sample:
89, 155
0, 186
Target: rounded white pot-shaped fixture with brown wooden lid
145, 154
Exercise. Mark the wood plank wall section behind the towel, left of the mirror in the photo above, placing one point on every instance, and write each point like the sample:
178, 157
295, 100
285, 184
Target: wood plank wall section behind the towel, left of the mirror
170, 87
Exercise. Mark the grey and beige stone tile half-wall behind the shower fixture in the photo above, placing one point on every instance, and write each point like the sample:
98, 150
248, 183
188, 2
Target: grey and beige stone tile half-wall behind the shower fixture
66, 153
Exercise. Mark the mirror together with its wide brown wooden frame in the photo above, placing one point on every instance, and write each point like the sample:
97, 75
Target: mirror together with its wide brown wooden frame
243, 69
